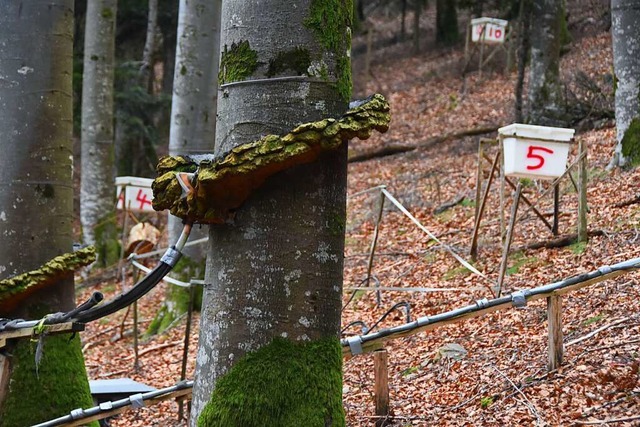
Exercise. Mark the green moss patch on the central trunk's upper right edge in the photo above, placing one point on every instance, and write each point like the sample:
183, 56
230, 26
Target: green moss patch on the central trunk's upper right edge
330, 21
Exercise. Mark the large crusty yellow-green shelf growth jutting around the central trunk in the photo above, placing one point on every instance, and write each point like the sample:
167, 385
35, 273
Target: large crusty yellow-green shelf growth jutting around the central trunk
222, 185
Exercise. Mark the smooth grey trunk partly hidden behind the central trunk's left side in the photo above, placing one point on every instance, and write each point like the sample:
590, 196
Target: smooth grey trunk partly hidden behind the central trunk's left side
193, 128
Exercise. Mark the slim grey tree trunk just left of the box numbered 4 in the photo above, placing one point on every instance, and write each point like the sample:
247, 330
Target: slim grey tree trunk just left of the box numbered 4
97, 164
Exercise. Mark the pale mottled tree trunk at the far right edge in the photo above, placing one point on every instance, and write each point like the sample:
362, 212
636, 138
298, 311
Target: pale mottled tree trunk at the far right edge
625, 31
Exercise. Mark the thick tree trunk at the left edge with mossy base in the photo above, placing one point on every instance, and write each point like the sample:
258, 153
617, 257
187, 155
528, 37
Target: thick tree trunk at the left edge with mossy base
36, 201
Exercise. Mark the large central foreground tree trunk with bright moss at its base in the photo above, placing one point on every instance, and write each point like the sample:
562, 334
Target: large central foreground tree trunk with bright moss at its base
269, 352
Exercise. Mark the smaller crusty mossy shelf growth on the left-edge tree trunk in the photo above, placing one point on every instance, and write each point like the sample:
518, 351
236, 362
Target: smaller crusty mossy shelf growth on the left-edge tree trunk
16, 289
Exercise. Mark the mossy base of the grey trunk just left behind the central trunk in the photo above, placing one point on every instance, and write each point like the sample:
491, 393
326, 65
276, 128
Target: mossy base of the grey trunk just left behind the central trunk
176, 301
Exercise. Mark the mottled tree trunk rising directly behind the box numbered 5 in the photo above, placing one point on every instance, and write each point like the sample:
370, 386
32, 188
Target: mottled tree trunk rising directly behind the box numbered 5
546, 101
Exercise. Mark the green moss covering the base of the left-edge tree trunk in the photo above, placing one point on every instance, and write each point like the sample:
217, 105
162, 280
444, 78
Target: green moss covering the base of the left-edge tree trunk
59, 385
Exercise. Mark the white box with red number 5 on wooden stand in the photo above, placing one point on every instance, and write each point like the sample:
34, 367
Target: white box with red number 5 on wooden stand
537, 152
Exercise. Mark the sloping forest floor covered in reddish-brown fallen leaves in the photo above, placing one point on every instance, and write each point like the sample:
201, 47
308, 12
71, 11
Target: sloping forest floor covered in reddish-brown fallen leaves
498, 376
